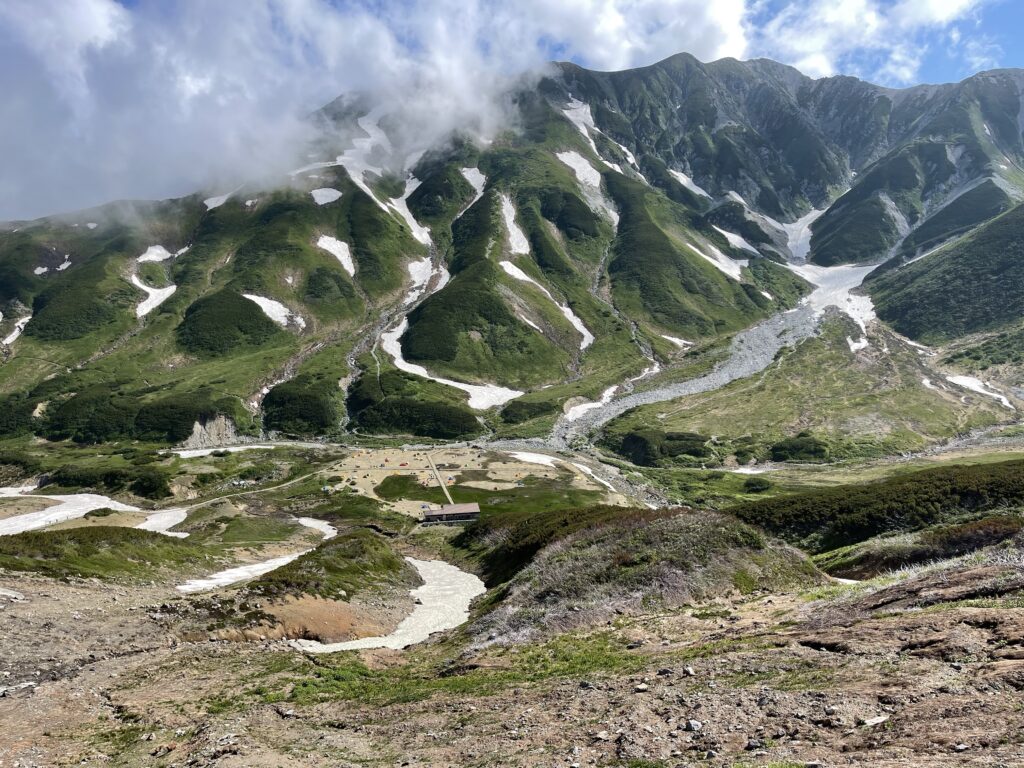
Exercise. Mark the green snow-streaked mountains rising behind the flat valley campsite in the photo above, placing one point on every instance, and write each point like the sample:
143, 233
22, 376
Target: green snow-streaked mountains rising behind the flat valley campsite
627, 234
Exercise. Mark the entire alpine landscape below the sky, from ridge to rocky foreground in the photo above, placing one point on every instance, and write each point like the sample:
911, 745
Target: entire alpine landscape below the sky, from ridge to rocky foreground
722, 366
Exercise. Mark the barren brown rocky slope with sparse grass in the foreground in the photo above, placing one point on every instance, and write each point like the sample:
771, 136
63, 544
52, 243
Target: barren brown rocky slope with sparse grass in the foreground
922, 670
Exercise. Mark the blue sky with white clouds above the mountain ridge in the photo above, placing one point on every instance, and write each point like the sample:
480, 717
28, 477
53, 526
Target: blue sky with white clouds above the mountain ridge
115, 99
